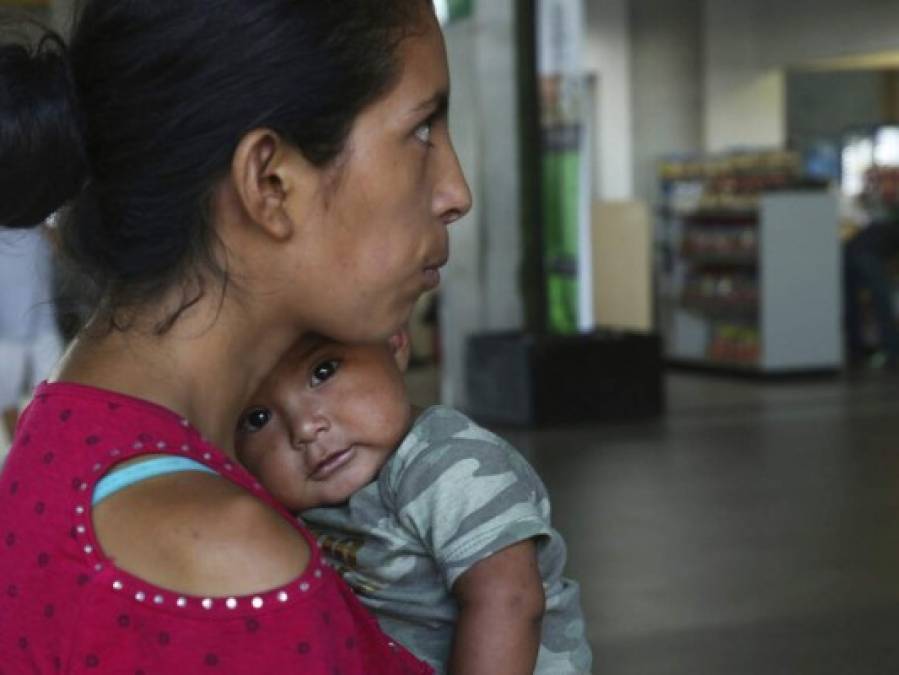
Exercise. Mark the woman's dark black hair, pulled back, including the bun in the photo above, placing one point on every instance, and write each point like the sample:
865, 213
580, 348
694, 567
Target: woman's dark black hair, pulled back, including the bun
135, 122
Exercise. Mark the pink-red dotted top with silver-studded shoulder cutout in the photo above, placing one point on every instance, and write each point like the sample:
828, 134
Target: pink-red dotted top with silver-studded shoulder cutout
66, 608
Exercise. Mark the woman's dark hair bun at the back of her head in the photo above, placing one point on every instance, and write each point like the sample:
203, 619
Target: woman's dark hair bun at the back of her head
42, 155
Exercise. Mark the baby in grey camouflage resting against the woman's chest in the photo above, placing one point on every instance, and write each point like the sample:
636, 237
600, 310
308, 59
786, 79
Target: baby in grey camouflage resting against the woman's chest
440, 527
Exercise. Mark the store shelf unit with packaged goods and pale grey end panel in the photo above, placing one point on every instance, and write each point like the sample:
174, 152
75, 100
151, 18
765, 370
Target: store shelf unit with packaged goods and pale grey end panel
769, 293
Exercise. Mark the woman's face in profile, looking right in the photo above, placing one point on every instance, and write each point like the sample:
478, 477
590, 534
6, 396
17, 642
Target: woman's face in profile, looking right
377, 236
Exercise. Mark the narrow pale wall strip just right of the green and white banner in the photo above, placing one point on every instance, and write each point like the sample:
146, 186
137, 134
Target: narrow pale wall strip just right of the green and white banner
608, 55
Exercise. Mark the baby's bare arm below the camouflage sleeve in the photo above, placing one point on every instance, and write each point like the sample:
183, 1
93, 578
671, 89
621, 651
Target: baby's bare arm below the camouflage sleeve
501, 605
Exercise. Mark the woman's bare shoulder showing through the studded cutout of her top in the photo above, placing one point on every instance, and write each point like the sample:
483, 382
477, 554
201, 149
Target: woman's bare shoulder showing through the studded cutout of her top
201, 535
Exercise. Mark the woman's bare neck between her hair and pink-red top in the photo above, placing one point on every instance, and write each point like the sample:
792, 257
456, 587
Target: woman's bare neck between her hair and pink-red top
205, 368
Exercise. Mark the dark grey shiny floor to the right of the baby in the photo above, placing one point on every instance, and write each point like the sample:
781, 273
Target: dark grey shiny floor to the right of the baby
754, 529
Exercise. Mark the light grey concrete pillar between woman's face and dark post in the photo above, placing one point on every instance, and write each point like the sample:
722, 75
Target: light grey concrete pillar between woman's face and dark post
481, 286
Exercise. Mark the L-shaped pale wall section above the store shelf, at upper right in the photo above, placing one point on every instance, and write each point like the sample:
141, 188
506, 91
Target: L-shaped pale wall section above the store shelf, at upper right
749, 44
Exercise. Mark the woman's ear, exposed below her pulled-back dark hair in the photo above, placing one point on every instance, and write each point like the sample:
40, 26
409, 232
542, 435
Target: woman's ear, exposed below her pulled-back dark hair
265, 171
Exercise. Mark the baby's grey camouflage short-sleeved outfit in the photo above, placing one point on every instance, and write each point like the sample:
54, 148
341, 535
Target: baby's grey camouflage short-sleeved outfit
451, 495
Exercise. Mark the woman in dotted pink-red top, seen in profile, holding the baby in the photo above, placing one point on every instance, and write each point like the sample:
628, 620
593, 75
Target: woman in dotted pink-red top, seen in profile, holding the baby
240, 172
